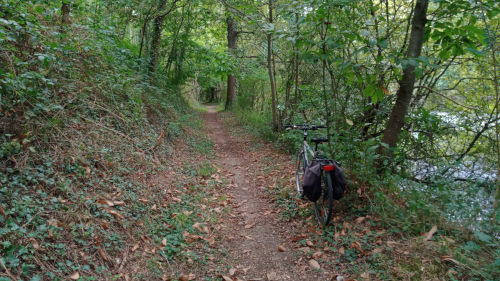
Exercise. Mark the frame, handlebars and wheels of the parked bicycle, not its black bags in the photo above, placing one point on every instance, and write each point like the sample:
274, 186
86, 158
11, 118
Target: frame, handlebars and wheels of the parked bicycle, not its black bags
323, 207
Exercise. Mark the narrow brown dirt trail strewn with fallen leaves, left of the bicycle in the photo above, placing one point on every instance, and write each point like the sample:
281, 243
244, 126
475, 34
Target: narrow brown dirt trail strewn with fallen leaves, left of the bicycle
253, 232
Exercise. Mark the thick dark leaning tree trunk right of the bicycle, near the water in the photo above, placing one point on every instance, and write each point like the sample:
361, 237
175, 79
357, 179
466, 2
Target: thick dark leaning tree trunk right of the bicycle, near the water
407, 82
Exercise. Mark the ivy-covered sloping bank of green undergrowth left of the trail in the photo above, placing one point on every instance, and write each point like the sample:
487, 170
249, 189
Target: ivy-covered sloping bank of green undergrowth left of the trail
86, 139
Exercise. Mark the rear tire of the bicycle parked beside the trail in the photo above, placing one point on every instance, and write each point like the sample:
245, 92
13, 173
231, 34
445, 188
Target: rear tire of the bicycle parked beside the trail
323, 207
